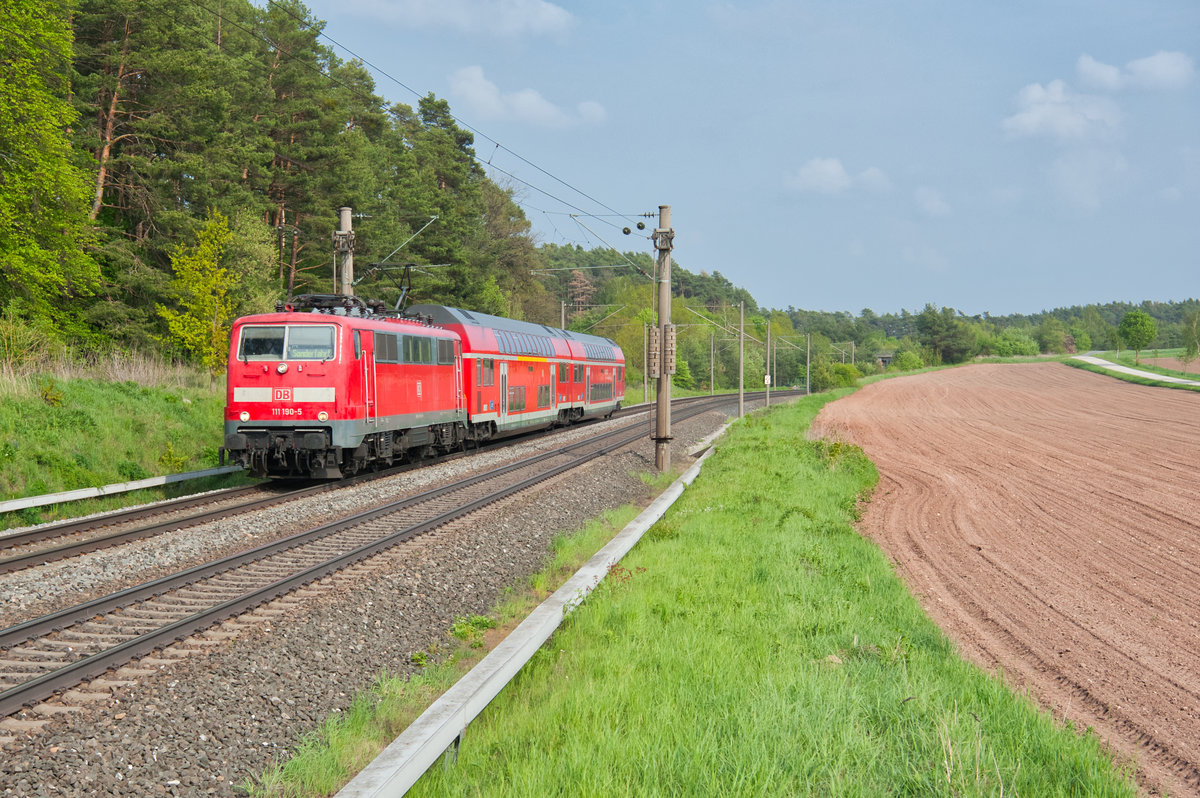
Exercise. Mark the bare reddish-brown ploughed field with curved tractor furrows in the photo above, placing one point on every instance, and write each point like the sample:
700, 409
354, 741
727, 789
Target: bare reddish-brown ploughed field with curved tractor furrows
1047, 518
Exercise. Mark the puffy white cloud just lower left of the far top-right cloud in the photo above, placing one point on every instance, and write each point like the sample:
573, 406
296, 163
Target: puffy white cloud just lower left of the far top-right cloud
1059, 112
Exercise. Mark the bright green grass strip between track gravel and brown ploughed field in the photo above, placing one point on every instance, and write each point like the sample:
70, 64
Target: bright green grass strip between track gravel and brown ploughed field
753, 644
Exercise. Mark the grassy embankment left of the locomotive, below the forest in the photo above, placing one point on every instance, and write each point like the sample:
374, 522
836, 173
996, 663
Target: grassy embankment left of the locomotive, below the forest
67, 428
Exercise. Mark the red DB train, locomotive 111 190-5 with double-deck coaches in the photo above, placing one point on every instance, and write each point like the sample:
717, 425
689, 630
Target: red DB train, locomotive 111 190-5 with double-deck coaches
332, 386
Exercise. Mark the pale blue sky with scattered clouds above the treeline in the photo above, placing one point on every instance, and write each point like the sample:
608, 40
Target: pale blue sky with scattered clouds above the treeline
992, 157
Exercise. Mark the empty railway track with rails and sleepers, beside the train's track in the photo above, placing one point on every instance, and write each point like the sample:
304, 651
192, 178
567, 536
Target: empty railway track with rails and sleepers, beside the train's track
47, 656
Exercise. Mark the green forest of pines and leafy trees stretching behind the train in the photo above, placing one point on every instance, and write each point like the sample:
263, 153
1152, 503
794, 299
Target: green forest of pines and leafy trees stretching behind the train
166, 167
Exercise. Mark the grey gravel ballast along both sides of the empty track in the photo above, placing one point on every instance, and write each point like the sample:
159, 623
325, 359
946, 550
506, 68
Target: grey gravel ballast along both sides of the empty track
203, 716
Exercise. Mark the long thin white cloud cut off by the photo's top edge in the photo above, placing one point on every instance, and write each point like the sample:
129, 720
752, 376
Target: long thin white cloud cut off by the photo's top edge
493, 17
